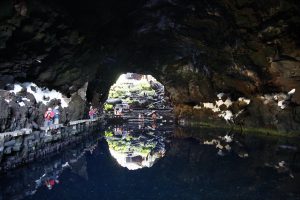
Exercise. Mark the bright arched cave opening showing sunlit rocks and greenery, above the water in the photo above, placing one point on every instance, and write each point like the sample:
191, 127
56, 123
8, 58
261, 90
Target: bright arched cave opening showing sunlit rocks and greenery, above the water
134, 91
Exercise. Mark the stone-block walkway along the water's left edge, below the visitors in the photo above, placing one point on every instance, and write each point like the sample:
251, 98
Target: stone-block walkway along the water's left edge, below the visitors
25, 145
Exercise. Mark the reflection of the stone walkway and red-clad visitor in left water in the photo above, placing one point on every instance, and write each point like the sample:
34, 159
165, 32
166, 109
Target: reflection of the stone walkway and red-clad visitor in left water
45, 174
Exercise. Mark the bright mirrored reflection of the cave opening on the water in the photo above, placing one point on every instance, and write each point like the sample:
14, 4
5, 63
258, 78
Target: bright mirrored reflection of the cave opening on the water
135, 146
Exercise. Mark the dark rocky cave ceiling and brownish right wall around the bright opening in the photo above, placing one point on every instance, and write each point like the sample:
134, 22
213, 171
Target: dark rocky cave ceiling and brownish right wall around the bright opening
197, 49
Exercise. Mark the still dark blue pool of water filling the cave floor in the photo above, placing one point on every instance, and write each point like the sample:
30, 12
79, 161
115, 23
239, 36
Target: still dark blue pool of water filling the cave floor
186, 164
